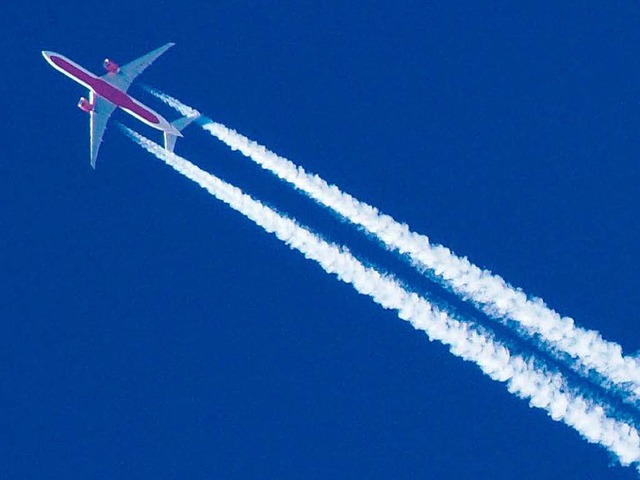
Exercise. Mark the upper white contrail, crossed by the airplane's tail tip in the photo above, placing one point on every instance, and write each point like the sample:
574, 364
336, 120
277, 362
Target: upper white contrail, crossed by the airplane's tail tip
487, 291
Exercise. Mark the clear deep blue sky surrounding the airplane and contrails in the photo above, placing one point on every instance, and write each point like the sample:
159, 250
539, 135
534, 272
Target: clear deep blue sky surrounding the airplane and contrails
151, 332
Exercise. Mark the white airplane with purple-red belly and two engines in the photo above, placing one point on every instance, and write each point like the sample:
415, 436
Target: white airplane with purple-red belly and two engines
108, 92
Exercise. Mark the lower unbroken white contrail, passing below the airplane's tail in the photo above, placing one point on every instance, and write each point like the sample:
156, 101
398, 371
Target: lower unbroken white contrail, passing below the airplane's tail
542, 389
